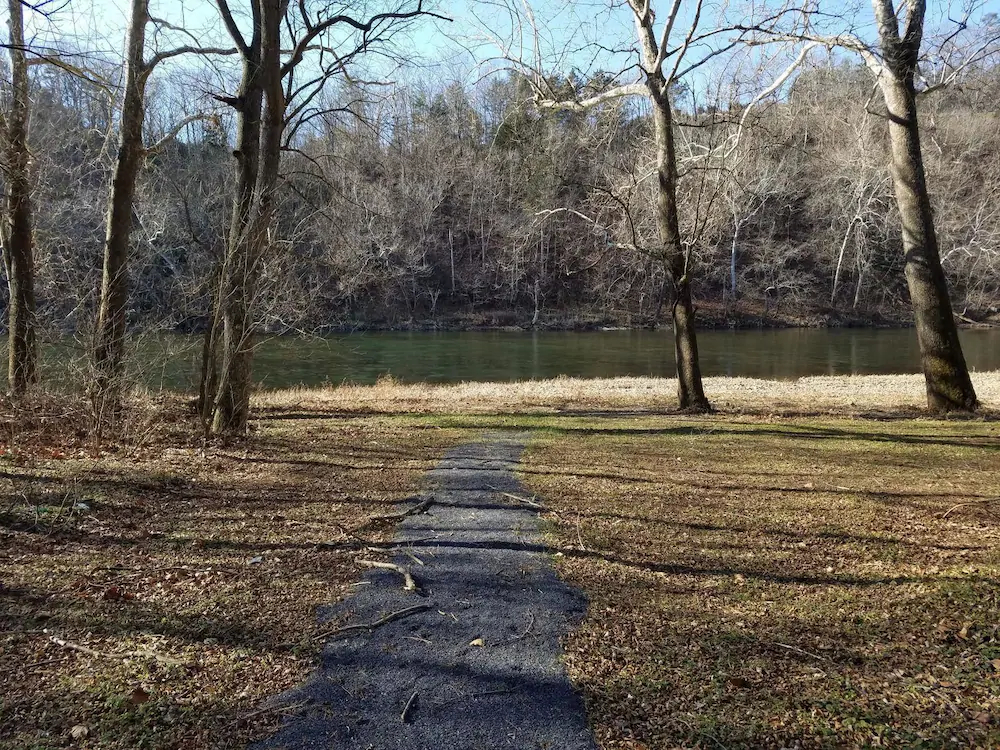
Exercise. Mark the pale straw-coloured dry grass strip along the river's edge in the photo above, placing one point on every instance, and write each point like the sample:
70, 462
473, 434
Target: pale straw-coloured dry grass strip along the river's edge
842, 394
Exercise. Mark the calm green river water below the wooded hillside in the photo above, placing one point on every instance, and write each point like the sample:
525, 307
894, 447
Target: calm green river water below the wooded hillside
172, 360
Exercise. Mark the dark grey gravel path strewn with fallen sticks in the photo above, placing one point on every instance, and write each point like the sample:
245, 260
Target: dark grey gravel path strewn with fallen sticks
486, 579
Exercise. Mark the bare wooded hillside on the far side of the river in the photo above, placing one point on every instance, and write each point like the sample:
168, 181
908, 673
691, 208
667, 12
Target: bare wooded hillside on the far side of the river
449, 203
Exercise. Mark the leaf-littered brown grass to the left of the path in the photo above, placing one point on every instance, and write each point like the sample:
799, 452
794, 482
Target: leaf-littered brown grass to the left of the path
192, 578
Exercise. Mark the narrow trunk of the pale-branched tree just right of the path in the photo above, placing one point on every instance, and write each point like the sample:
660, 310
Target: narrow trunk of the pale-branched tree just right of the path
690, 392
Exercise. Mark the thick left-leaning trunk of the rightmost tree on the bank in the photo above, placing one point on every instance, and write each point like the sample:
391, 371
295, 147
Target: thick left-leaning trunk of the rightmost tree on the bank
949, 387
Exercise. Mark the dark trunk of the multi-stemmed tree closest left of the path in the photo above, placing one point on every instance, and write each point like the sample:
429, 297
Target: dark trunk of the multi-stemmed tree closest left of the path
249, 236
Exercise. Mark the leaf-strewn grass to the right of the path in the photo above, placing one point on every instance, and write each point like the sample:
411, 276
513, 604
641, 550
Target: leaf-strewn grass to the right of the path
780, 583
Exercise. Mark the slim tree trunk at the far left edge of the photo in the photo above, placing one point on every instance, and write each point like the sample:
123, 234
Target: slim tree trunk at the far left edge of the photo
18, 244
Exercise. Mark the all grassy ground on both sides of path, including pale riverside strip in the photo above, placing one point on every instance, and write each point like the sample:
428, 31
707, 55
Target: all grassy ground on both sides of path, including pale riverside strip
789, 573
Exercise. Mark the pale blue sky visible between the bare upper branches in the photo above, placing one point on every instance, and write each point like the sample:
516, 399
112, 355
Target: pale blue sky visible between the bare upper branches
573, 34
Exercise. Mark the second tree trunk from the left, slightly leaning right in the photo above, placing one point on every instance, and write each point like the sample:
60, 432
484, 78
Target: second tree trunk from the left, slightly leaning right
109, 338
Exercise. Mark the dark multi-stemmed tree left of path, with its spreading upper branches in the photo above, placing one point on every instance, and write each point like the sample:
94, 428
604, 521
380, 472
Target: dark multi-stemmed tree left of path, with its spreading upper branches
271, 96
